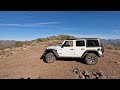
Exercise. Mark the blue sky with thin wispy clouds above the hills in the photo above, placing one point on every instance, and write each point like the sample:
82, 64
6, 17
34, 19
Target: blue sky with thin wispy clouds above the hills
30, 25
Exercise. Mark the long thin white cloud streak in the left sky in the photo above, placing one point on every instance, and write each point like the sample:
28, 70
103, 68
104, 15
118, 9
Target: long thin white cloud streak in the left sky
33, 24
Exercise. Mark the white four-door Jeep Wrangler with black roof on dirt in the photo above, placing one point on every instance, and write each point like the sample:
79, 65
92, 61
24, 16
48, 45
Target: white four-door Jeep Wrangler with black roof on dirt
88, 48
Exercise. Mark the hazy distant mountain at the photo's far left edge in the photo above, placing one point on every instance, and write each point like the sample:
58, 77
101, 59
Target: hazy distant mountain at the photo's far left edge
7, 43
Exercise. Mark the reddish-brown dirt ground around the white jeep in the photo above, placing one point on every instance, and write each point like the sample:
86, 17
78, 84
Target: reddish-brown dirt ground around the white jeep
24, 62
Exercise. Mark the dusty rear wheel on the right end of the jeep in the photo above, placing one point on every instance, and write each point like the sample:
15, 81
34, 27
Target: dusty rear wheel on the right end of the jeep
91, 59
